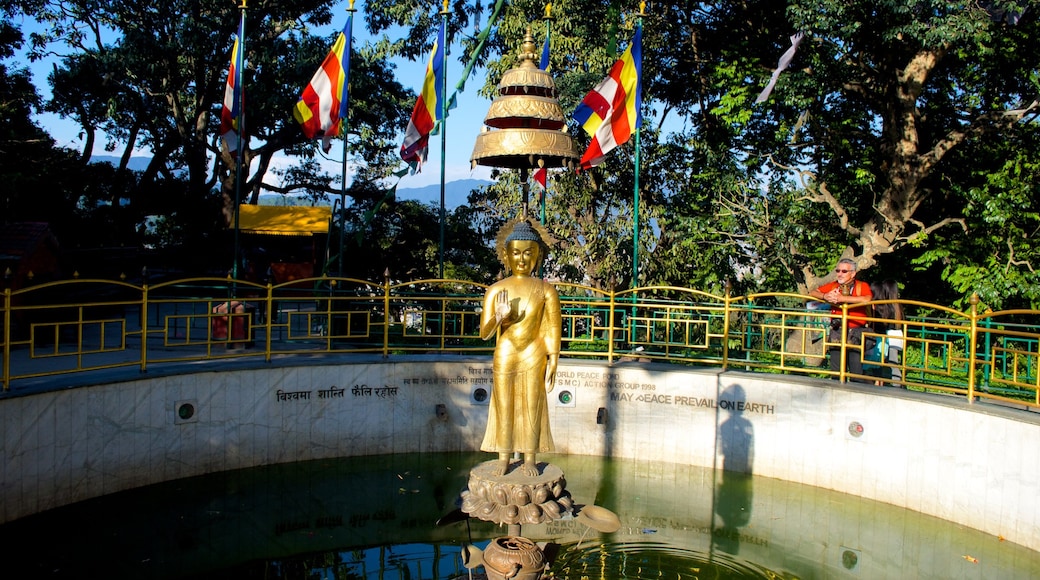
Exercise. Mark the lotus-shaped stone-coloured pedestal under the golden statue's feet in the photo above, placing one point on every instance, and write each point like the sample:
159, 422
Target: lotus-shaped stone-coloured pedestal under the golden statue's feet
515, 498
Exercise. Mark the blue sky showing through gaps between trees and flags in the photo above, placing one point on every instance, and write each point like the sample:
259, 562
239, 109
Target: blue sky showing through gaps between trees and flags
463, 125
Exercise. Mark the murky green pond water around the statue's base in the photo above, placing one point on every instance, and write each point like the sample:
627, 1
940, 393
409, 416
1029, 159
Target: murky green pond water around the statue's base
378, 518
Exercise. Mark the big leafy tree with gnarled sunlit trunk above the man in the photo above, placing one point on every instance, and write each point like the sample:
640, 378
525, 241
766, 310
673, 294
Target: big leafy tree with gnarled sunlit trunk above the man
871, 116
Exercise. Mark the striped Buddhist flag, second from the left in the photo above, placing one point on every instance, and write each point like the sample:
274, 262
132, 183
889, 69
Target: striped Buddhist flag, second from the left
324, 102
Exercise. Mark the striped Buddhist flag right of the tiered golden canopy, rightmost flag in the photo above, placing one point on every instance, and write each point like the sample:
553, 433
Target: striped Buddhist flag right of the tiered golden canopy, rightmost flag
611, 114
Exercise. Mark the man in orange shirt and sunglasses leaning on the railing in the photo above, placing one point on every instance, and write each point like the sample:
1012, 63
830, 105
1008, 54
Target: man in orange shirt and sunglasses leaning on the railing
846, 291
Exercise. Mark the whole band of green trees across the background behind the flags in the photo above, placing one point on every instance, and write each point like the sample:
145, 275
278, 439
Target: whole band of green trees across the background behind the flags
903, 135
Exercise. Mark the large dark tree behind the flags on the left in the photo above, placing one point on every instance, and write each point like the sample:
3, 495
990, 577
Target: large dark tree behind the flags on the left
152, 77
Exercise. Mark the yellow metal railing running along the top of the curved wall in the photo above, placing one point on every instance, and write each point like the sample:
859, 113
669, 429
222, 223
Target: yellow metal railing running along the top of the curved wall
81, 326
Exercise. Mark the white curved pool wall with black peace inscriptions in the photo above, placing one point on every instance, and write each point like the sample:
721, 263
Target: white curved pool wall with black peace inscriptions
975, 465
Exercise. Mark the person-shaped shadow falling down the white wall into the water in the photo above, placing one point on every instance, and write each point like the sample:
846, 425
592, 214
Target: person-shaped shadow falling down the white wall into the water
734, 492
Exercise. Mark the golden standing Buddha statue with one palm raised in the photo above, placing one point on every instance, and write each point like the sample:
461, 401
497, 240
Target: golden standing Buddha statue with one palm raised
525, 310
